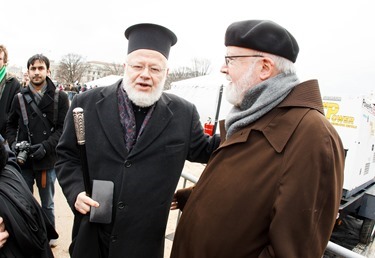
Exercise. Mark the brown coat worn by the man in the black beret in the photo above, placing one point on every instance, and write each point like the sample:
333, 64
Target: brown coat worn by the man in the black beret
272, 189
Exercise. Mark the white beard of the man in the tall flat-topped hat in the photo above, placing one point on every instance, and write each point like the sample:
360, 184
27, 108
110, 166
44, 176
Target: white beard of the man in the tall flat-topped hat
143, 99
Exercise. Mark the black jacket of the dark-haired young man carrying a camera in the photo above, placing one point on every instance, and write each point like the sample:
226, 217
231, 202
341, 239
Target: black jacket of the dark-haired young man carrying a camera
39, 133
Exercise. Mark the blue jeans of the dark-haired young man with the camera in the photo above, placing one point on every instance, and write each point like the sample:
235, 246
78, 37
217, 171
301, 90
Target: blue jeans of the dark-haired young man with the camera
47, 193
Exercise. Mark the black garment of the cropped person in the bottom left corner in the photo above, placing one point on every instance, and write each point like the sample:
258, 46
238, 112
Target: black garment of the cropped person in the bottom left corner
29, 228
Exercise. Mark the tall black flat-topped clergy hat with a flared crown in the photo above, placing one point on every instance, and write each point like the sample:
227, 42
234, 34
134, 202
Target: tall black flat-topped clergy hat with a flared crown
150, 36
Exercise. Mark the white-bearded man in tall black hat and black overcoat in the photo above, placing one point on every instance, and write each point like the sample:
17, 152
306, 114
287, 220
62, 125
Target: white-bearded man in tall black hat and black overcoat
138, 138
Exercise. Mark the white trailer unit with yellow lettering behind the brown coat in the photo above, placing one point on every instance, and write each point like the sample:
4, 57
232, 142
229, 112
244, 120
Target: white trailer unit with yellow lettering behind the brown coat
354, 119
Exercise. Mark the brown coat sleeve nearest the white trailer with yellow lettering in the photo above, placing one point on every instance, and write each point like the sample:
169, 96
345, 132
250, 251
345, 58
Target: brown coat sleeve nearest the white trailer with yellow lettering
309, 192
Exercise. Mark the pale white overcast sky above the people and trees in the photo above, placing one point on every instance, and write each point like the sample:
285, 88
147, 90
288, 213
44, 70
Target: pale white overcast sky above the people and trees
336, 37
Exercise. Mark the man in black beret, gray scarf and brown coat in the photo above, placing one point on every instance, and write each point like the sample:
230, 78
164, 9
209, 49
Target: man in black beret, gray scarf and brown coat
273, 187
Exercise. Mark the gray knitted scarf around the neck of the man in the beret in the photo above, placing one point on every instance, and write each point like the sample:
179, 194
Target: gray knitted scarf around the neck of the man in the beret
259, 100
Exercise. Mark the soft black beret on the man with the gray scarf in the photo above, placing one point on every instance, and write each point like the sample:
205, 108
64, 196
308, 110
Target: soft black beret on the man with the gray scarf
262, 35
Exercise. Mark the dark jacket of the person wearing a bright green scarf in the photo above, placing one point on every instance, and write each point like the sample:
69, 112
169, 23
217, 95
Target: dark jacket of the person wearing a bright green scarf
11, 88
